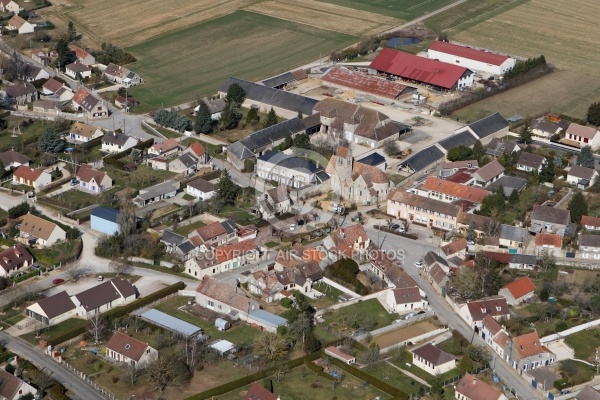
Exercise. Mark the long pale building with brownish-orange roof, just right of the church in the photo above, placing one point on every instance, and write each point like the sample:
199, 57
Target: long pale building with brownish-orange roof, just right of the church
422, 210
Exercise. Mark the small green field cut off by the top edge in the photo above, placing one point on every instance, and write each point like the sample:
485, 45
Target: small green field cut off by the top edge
403, 9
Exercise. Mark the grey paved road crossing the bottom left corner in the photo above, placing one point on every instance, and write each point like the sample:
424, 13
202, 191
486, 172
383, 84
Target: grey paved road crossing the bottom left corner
63, 375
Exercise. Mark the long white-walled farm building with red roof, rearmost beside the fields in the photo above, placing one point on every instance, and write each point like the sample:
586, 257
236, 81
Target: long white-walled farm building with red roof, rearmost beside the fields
478, 60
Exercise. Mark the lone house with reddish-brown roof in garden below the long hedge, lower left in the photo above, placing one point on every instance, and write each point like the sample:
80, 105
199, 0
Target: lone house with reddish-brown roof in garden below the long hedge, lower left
123, 348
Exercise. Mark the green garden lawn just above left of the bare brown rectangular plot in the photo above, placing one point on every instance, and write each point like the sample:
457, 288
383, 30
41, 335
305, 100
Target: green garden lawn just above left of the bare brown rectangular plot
368, 314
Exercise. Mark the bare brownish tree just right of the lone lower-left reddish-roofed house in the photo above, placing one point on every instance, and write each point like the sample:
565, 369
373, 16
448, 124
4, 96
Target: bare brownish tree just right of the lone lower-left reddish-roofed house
167, 371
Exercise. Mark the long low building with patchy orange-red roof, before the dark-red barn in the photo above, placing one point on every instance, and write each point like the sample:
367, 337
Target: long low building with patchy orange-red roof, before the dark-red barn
346, 79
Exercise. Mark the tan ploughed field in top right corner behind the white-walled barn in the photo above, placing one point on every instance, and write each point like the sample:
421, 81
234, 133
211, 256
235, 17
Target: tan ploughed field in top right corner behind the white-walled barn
565, 33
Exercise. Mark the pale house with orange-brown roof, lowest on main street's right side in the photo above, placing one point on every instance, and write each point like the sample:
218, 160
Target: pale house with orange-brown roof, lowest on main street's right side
526, 352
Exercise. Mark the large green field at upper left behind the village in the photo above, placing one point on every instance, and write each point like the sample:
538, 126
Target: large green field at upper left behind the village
195, 61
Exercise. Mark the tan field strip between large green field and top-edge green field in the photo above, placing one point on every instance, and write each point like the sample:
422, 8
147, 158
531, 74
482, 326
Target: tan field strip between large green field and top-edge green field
327, 16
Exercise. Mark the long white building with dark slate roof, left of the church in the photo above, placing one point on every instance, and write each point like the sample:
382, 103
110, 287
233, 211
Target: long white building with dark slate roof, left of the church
287, 170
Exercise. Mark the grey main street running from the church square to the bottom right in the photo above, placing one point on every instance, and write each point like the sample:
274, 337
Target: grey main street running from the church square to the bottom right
413, 251
